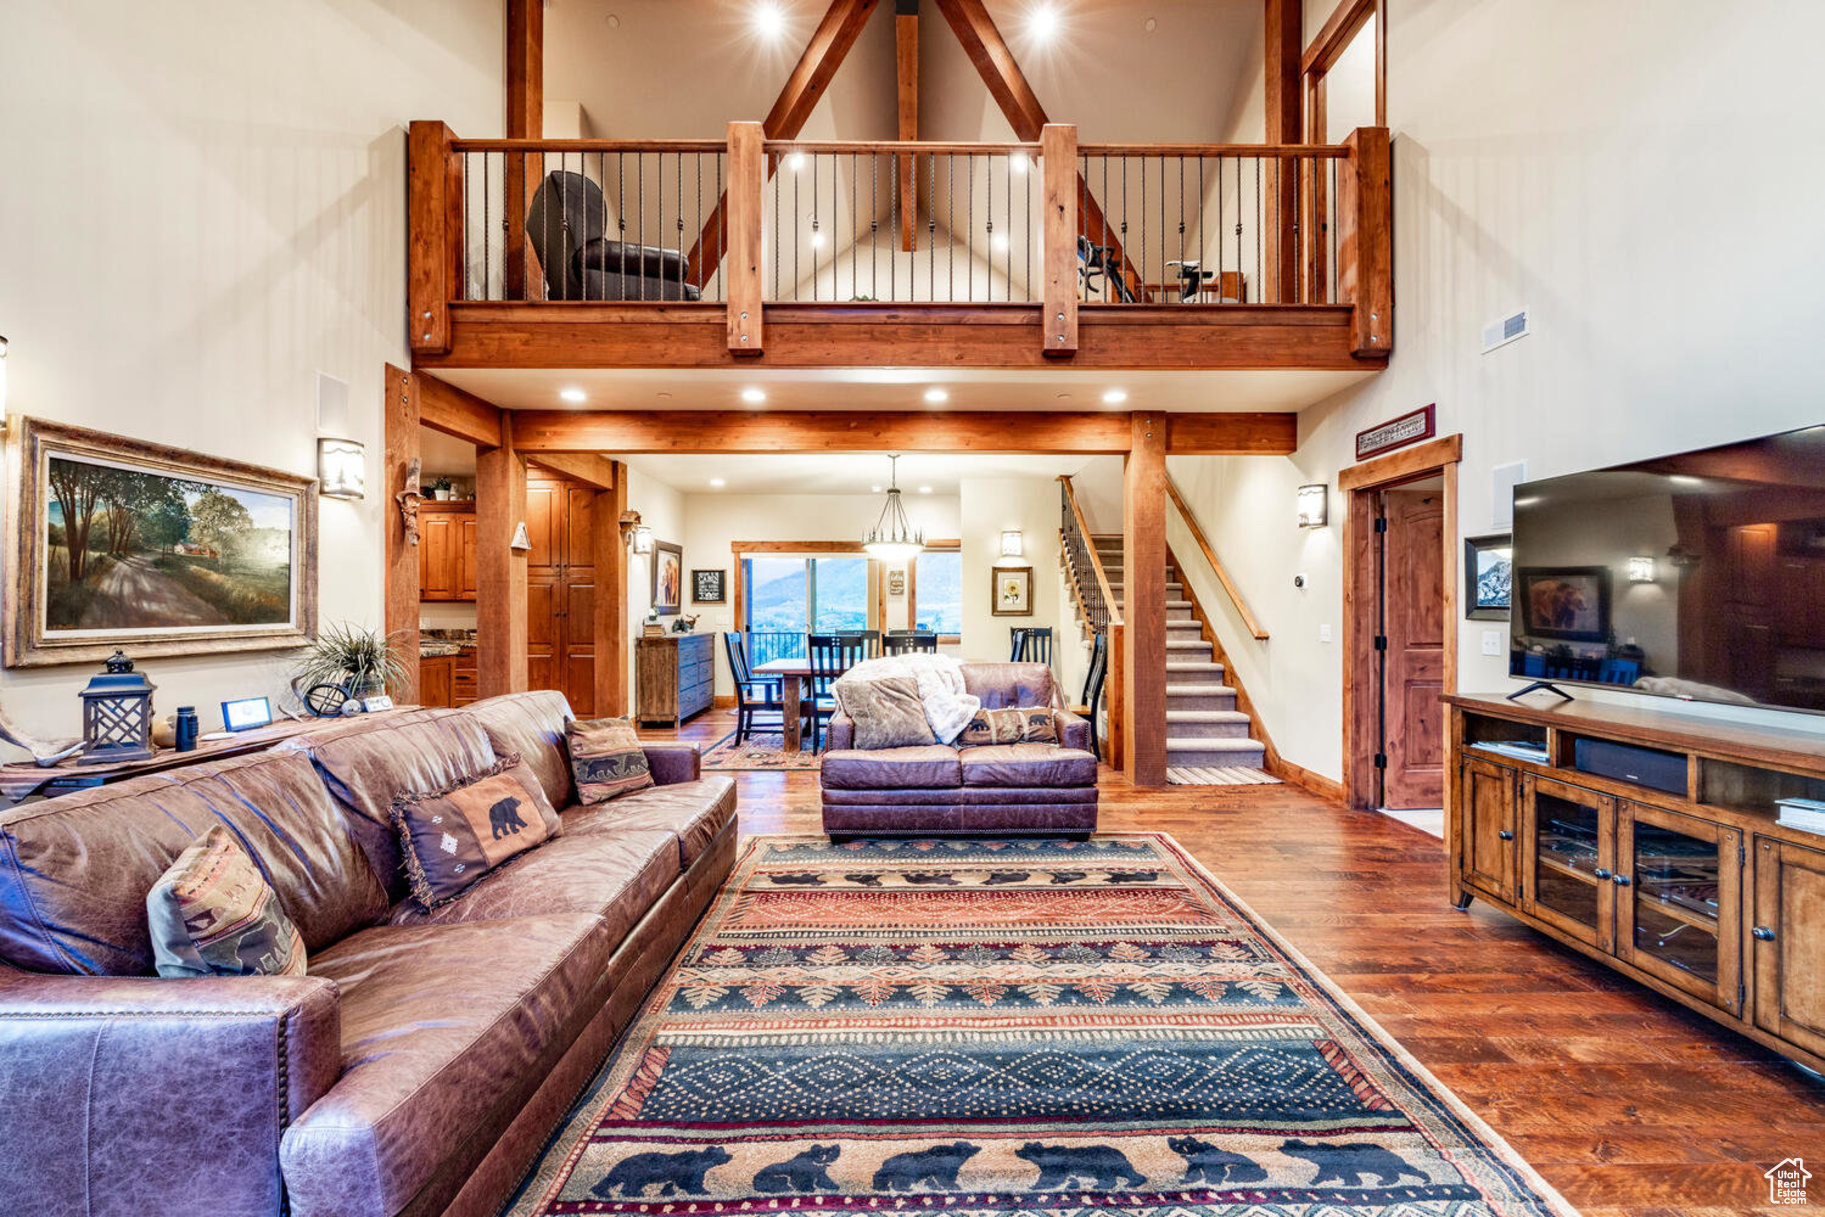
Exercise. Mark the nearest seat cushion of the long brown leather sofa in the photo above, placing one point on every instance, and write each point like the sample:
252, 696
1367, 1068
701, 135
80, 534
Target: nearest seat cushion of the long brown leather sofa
446, 1032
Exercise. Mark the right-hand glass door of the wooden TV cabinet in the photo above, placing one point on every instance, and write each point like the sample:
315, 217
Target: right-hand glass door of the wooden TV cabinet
1680, 889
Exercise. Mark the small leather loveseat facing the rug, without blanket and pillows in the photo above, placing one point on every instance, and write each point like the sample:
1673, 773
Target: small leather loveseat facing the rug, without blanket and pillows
990, 791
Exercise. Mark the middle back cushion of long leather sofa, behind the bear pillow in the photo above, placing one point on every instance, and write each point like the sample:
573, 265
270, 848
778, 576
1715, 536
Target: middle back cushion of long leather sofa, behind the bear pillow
371, 760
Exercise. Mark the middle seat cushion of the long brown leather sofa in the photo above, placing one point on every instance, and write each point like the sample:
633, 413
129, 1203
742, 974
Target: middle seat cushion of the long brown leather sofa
610, 875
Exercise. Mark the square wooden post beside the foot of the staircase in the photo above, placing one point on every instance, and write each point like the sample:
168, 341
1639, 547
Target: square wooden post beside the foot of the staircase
1145, 601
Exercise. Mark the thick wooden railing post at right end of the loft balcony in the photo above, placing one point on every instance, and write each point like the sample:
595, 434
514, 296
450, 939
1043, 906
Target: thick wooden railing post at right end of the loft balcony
1366, 240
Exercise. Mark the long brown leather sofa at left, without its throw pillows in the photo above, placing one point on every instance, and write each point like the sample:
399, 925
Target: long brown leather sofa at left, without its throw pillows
426, 1057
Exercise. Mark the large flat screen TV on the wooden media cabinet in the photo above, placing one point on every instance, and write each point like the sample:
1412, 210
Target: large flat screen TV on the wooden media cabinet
1698, 577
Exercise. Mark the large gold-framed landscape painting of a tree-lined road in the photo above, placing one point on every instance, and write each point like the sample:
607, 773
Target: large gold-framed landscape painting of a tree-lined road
154, 550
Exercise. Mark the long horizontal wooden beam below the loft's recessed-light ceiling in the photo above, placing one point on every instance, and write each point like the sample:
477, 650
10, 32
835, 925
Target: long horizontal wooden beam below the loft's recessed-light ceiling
870, 432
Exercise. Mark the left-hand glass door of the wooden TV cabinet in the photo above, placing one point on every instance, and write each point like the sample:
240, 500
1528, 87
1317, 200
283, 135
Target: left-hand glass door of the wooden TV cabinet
1569, 858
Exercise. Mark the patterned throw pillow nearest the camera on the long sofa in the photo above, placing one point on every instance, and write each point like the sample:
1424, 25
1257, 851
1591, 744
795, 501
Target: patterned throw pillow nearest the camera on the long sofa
214, 915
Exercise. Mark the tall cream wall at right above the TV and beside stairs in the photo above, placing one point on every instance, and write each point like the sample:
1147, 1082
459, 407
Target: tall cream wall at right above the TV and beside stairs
1674, 302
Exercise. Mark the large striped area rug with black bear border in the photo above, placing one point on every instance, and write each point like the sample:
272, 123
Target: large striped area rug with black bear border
1036, 1028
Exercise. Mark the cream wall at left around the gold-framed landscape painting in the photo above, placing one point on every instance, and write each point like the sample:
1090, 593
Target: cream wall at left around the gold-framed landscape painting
203, 207
